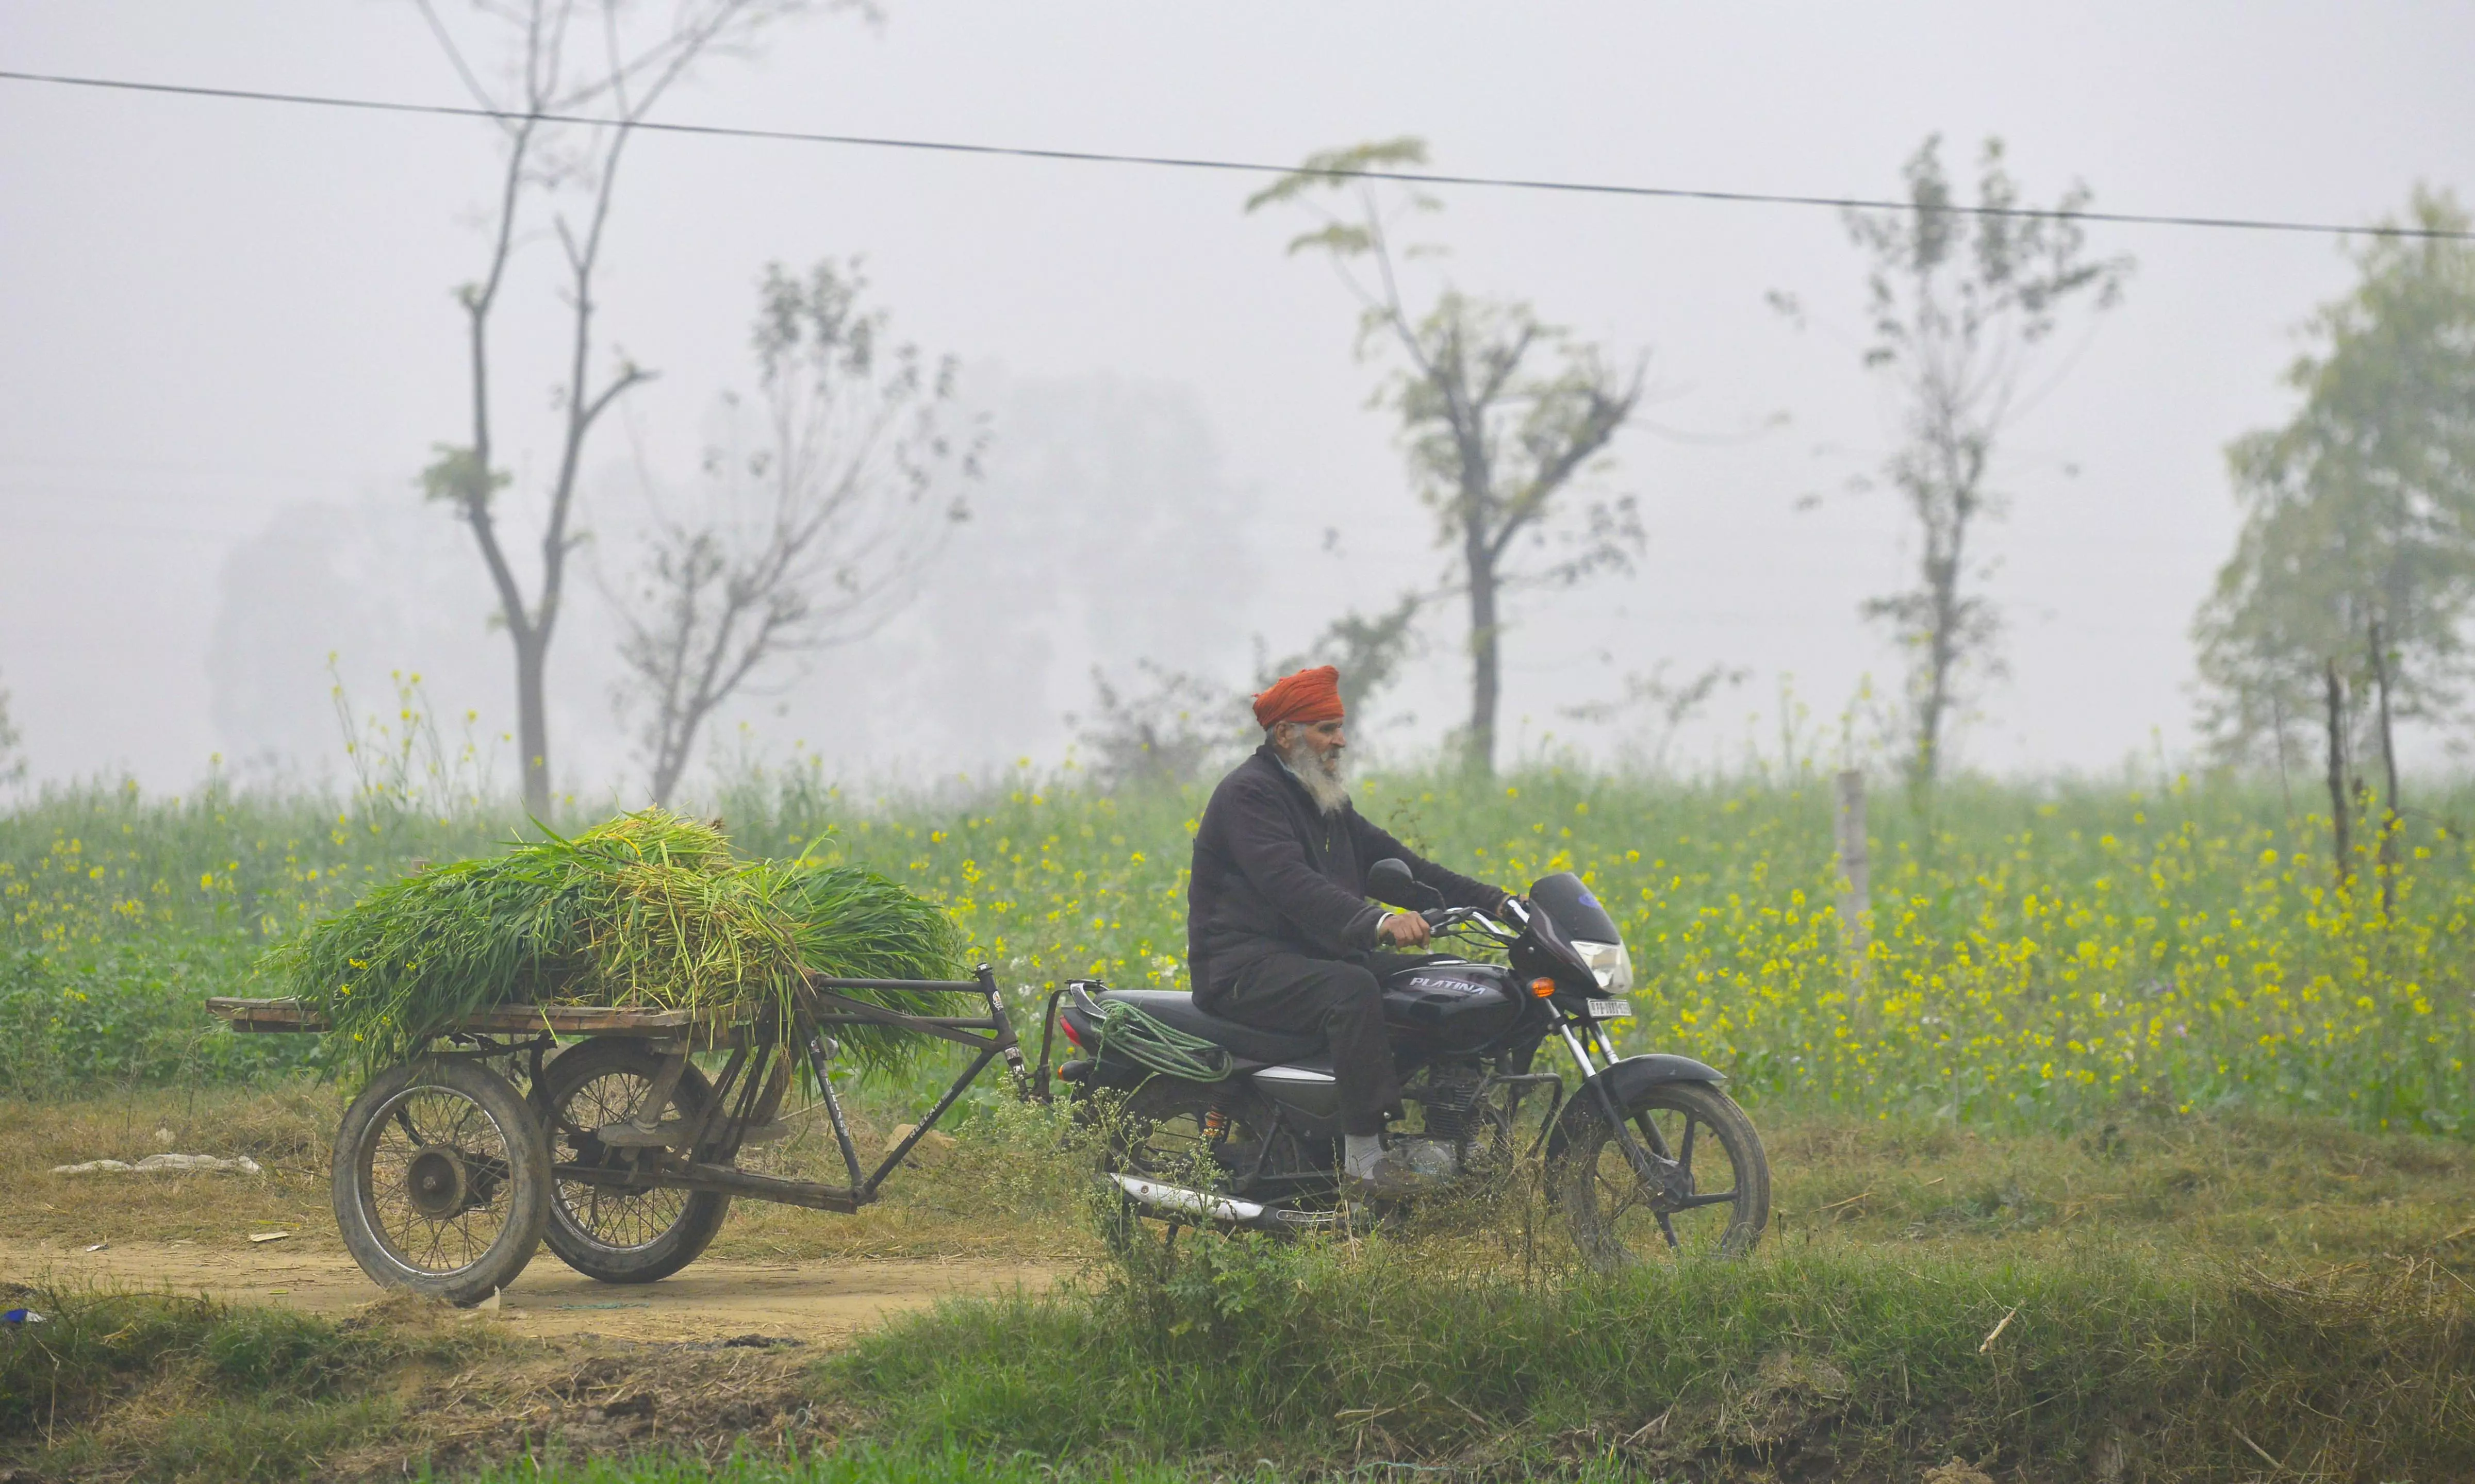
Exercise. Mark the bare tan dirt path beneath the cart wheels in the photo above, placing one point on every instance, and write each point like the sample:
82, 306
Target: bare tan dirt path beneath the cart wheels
709, 1302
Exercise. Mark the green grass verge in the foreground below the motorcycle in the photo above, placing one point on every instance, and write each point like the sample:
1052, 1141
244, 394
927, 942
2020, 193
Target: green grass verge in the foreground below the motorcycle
1813, 1364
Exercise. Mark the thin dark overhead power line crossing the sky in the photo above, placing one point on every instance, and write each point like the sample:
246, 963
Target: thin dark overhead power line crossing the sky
1093, 157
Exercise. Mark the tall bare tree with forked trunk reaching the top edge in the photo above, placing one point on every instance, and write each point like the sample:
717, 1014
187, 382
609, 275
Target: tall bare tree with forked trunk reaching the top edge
561, 58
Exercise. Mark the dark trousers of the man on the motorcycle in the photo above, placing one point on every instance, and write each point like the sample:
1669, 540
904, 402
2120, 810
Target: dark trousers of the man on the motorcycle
1335, 1000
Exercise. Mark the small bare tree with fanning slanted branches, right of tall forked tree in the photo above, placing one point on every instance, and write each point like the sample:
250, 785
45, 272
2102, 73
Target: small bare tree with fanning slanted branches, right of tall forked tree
818, 531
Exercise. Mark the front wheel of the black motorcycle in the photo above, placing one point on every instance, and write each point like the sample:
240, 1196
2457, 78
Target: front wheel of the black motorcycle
1709, 1188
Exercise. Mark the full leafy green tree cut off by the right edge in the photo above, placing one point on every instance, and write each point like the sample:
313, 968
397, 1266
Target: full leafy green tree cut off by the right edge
2357, 513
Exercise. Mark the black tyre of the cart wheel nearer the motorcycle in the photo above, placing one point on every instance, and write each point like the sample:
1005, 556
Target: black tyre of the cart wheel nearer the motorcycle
699, 1216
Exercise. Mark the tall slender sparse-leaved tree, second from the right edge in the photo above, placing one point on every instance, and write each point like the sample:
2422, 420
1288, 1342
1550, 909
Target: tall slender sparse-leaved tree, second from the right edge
1959, 310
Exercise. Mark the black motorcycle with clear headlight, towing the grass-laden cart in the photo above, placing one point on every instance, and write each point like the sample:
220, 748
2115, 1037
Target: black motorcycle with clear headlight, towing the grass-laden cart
1642, 1156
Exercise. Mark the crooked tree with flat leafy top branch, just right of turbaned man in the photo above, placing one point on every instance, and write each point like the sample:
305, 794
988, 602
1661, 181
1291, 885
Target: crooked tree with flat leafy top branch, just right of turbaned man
1499, 412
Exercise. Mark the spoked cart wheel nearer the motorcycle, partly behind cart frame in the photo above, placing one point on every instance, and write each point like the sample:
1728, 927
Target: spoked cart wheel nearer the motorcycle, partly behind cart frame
600, 1230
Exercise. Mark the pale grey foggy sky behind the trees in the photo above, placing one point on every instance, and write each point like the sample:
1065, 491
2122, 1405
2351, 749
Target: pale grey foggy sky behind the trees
229, 350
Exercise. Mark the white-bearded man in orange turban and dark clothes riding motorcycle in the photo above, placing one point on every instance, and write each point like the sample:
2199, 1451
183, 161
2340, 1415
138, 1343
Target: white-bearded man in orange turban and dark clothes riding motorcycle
1278, 926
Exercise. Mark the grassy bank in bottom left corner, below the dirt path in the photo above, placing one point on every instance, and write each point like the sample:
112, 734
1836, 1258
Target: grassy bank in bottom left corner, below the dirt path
157, 1389
